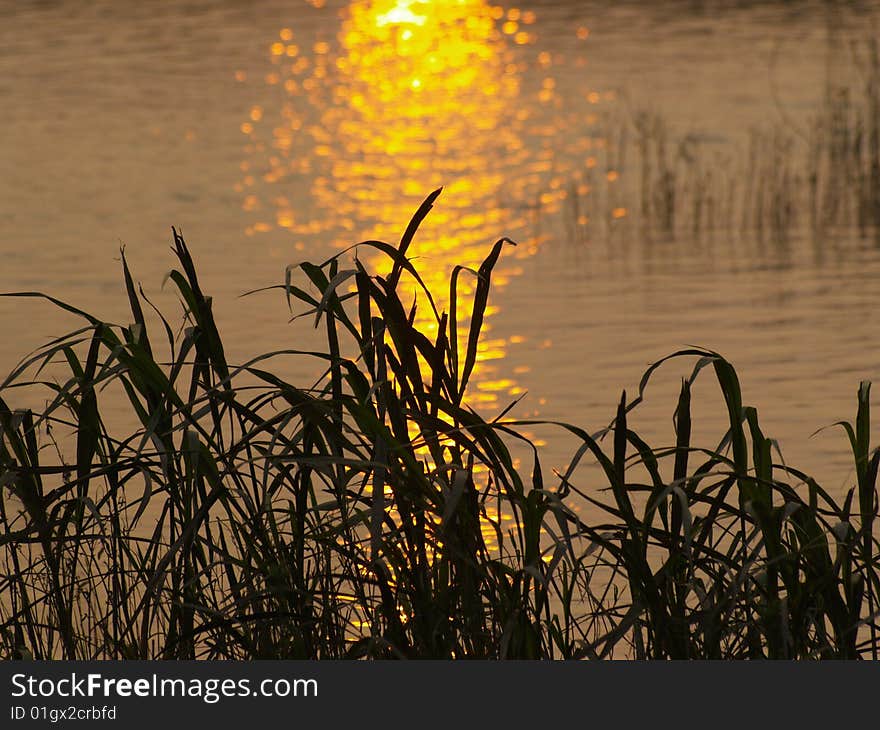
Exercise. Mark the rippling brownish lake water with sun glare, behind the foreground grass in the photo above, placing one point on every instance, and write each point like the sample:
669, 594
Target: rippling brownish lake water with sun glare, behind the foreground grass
276, 132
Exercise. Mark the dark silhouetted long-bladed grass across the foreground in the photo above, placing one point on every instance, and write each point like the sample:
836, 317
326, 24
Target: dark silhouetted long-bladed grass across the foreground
376, 514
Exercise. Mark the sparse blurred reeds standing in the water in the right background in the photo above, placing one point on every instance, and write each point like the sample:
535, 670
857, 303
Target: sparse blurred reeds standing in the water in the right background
791, 177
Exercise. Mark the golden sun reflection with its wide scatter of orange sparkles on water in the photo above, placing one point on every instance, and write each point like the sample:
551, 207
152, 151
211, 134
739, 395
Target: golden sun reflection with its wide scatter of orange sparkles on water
409, 96
